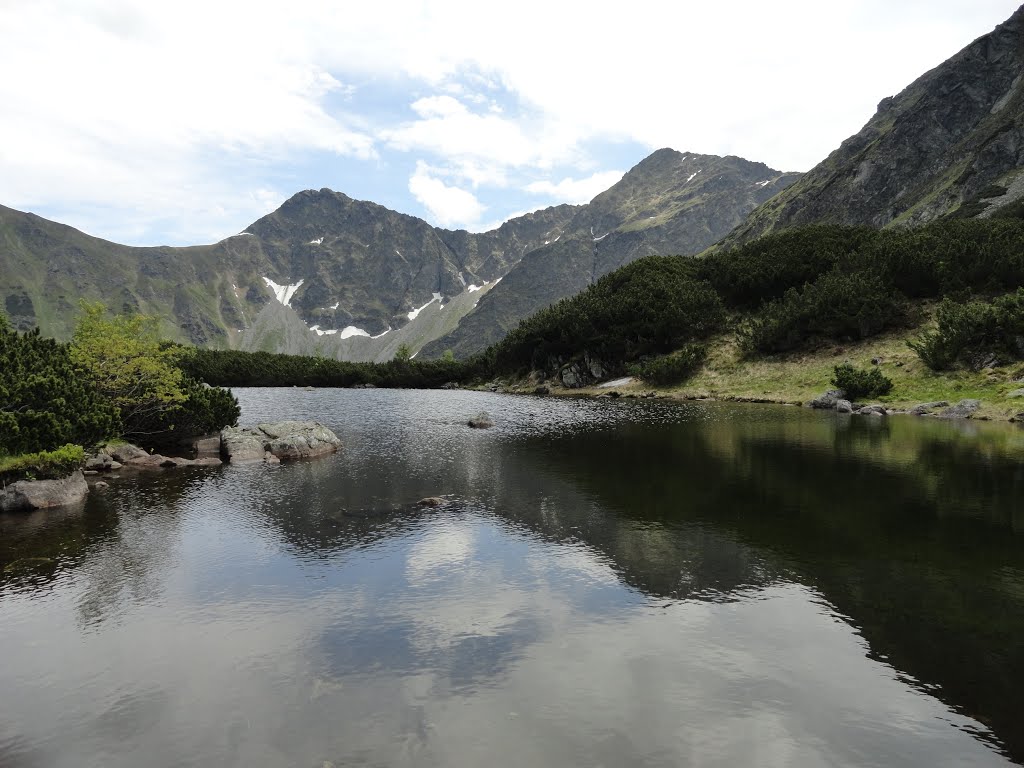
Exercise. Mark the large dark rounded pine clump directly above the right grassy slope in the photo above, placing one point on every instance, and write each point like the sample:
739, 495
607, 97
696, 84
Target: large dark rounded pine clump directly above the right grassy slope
837, 306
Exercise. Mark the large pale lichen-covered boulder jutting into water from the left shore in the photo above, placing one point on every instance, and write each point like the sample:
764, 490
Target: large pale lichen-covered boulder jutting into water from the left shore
283, 440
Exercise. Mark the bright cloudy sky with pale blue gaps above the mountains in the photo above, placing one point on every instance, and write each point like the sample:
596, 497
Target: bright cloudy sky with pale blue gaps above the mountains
183, 123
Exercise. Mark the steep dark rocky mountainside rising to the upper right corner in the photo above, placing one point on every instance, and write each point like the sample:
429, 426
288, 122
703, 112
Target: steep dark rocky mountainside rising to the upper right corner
952, 143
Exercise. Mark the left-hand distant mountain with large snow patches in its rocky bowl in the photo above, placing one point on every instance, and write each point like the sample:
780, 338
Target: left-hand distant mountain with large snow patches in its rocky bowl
347, 268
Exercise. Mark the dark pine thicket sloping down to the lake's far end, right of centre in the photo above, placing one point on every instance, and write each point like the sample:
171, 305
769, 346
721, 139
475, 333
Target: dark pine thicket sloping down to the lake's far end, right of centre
650, 307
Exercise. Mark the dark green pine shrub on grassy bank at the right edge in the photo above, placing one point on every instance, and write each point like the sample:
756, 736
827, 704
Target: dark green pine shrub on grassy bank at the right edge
974, 333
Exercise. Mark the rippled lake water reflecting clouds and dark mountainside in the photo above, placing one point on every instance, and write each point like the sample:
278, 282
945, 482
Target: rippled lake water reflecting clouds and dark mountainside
610, 584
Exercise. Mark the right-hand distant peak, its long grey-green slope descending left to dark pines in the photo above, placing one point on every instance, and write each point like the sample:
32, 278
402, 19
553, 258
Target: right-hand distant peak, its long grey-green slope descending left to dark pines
670, 203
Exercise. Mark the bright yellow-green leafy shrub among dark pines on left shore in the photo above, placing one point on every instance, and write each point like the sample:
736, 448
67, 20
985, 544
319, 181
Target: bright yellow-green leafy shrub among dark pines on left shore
124, 360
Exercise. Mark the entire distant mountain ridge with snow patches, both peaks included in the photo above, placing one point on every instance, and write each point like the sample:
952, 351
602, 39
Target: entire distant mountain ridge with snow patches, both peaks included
329, 275
